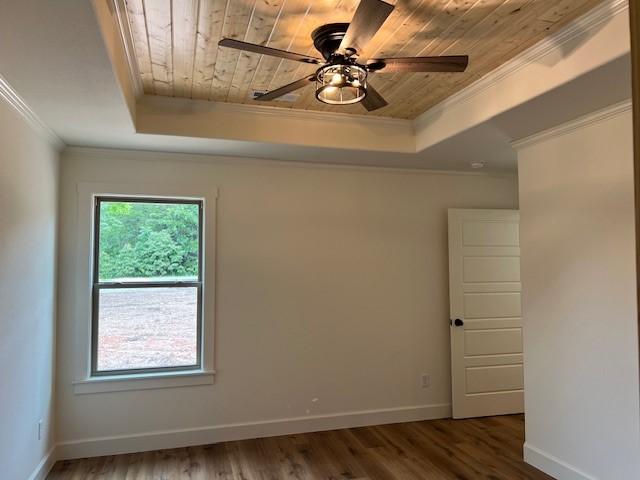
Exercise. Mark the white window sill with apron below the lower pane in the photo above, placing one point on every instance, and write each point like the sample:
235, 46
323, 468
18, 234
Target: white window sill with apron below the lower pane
148, 381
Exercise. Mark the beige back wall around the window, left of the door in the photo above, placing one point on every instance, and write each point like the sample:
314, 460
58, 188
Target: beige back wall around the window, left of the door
331, 285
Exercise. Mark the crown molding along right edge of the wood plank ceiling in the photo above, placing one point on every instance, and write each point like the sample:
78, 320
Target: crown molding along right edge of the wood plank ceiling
588, 22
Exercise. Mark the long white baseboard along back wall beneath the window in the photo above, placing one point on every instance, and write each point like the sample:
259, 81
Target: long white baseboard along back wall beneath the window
94, 447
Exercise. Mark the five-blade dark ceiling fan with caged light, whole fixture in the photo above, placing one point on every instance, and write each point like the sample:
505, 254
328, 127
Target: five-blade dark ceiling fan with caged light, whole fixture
341, 78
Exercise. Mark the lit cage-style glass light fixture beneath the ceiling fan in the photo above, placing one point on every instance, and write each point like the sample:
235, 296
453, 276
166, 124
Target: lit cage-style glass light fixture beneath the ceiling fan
340, 84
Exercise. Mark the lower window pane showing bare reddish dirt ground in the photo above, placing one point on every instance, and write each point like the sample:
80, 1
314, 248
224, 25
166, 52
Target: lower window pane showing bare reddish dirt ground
147, 328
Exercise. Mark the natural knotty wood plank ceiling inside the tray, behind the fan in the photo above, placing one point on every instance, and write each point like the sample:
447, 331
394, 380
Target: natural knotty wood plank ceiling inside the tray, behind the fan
176, 45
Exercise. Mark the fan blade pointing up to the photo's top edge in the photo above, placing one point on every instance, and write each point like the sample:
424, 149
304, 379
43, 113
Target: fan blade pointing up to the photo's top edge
369, 17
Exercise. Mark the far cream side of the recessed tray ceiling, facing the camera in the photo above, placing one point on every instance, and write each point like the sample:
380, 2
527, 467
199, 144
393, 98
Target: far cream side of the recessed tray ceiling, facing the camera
161, 115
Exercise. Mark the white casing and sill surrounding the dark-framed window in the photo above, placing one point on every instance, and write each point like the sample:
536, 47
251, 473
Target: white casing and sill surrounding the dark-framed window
84, 381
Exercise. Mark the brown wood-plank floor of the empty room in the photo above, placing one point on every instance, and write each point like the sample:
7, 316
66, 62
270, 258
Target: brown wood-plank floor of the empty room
484, 448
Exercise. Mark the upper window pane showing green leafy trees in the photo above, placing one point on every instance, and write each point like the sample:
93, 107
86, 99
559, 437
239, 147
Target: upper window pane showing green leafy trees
148, 241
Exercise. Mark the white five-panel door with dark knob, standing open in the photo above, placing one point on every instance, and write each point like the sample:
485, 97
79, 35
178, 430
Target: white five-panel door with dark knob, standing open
486, 313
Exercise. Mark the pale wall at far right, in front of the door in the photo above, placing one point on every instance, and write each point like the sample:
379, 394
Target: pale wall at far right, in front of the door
579, 300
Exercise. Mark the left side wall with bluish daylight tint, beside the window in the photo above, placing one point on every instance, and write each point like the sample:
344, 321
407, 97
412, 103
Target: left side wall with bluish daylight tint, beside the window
28, 214
